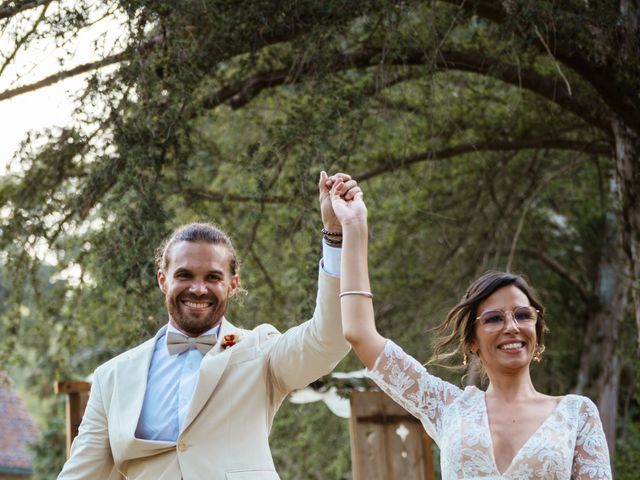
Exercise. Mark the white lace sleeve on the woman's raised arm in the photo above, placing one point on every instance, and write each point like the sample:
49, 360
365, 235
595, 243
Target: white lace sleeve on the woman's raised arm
407, 382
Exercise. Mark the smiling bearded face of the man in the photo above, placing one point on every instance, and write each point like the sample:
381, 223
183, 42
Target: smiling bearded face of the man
197, 285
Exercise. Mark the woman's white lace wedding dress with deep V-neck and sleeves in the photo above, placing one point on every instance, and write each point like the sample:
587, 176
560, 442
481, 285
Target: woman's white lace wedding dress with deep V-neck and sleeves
569, 442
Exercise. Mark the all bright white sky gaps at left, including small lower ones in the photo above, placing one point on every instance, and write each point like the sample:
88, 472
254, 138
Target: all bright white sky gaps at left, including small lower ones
52, 106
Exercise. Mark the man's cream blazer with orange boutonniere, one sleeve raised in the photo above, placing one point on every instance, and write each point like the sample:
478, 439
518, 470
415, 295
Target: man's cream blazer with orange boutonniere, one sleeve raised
226, 430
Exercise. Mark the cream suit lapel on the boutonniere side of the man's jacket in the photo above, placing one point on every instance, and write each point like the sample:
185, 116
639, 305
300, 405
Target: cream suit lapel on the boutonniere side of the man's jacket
211, 369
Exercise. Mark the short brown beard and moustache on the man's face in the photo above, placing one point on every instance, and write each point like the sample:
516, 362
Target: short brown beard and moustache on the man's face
196, 324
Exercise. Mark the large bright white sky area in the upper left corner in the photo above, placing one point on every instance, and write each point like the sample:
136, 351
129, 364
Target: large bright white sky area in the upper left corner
51, 106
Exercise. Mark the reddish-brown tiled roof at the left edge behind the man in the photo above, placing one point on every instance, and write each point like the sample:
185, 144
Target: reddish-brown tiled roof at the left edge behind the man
16, 429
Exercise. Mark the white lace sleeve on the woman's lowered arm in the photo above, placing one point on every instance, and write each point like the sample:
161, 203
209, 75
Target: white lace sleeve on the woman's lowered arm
591, 455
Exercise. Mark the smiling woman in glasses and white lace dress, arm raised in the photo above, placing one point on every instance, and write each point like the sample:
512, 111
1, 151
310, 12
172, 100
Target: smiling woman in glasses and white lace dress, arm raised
510, 431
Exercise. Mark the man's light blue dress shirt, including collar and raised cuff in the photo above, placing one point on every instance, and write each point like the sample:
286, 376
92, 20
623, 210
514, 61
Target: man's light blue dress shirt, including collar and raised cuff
172, 379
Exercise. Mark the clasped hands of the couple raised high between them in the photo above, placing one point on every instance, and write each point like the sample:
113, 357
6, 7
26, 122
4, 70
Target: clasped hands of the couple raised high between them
340, 191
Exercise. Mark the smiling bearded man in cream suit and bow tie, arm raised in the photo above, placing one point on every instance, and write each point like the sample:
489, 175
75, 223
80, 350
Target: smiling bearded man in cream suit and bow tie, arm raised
196, 402
